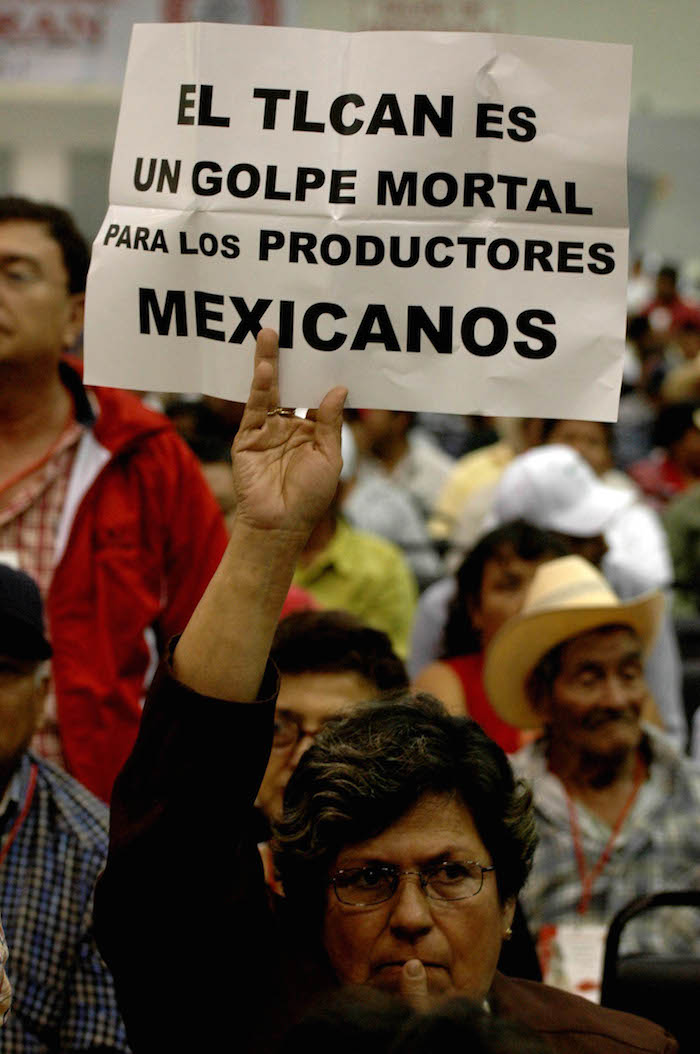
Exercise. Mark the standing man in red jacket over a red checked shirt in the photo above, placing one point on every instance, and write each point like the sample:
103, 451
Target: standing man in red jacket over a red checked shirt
101, 502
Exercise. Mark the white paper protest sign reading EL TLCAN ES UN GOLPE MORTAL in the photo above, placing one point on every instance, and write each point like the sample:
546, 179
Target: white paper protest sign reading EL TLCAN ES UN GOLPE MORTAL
436, 221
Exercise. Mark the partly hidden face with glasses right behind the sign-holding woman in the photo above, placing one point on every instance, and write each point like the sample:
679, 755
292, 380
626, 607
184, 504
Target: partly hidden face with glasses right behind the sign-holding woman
306, 702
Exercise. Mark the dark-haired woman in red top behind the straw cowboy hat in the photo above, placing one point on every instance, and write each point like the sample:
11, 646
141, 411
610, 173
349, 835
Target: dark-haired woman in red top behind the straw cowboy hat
491, 588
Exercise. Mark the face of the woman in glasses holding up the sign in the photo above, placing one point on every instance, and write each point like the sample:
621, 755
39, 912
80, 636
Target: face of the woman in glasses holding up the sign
458, 942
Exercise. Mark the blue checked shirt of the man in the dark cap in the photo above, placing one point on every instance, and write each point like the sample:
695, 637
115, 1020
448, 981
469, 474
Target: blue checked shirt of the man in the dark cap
63, 993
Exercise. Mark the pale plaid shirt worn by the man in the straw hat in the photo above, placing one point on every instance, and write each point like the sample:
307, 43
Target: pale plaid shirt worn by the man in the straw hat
658, 849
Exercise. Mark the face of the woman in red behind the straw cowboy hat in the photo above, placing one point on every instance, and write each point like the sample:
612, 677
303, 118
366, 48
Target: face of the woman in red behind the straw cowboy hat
504, 584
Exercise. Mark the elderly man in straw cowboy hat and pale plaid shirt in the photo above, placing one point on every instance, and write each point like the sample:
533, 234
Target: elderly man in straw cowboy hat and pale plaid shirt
617, 808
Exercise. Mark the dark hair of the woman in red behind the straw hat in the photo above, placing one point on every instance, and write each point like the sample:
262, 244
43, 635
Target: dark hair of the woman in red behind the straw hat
520, 538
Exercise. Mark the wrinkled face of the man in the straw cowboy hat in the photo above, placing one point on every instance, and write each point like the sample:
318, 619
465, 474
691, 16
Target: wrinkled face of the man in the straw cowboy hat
597, 698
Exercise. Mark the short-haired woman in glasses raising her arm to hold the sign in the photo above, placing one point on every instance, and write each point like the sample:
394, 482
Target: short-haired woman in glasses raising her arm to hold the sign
404, 841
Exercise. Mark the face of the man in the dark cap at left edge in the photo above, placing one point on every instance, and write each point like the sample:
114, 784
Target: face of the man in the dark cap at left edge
23, 695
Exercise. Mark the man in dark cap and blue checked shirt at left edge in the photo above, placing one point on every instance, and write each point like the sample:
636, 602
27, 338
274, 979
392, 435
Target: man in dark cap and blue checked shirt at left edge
53, 844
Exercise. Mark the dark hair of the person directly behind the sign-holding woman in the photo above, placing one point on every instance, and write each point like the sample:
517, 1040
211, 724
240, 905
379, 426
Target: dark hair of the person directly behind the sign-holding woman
337, 642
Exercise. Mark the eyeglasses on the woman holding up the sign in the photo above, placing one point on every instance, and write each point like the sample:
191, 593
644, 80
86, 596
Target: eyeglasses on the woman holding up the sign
376, 884
